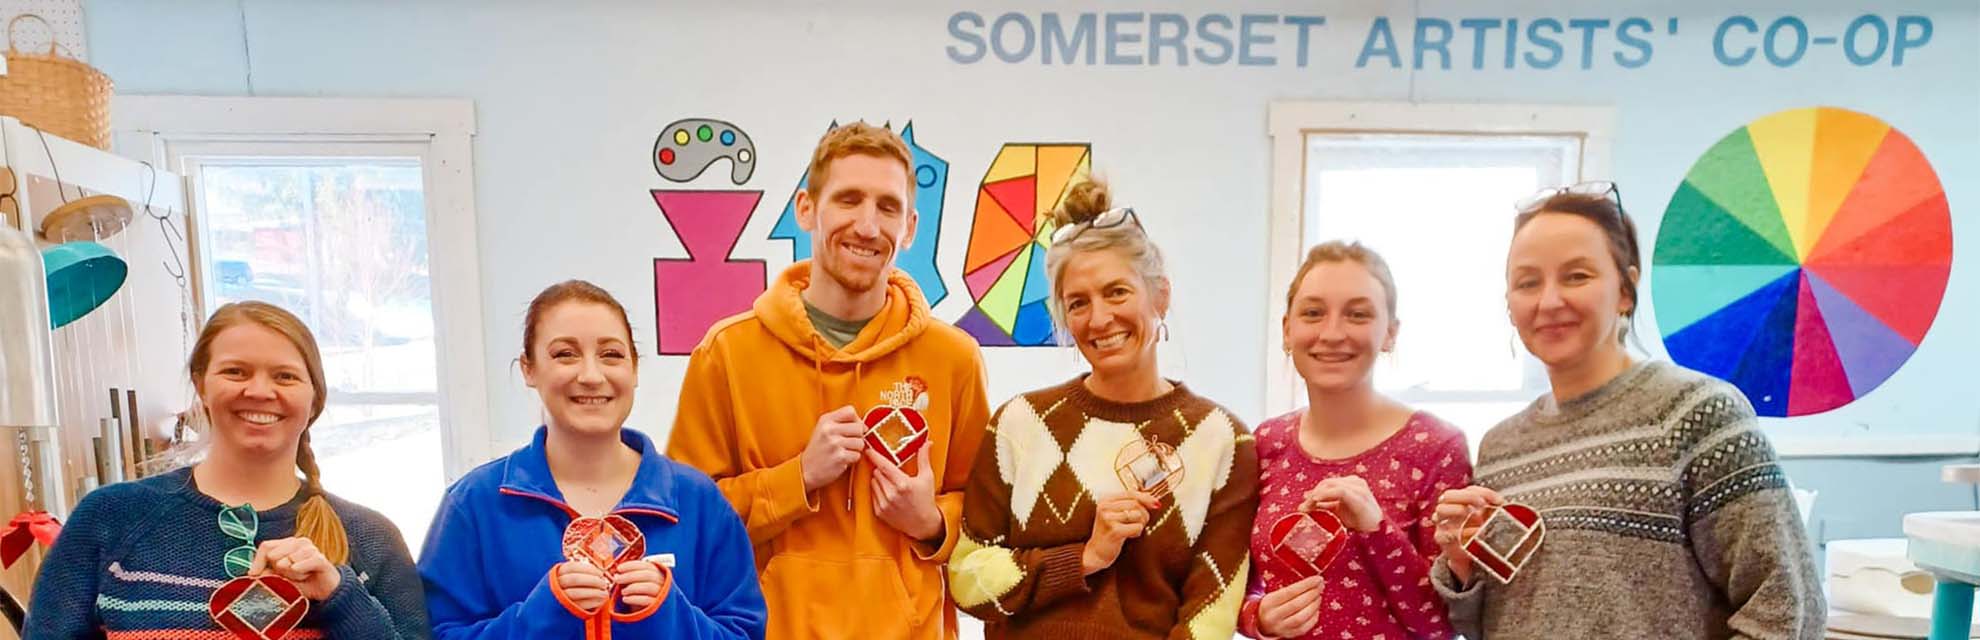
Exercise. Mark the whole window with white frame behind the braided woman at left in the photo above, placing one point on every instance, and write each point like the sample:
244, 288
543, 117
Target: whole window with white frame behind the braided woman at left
357, 217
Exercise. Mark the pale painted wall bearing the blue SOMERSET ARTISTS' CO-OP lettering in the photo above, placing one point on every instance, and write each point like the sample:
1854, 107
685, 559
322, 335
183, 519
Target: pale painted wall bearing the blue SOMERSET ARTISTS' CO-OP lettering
571, 96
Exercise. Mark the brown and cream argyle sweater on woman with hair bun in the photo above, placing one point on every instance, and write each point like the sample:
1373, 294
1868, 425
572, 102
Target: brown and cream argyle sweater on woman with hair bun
1031, 512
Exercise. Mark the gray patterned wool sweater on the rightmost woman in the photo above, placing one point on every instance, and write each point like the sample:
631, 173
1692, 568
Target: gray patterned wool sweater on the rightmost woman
1666, 512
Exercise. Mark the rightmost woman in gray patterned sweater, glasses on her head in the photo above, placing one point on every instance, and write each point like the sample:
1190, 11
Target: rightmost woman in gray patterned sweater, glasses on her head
1666, 512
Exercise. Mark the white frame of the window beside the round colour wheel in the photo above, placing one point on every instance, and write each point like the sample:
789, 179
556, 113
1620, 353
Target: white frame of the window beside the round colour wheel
1292, 122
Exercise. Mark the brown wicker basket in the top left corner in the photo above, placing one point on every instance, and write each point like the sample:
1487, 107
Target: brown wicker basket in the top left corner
56, 94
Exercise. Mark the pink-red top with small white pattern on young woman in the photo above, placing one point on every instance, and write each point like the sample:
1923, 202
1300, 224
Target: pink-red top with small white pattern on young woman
1379, 587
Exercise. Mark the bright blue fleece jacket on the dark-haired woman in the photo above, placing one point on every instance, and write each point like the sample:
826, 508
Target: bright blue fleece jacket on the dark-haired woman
490, 558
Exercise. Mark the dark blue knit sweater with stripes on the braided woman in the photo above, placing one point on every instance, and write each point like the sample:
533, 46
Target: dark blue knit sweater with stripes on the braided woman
140, 560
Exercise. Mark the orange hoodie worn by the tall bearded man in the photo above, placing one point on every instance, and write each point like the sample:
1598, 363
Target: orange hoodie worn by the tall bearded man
757, 385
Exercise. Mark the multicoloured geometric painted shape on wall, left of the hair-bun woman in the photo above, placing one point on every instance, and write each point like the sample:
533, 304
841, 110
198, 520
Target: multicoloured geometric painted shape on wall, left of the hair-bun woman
1005, 267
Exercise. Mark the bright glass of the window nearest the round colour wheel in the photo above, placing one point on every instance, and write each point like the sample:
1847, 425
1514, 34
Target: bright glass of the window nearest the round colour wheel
1440, 211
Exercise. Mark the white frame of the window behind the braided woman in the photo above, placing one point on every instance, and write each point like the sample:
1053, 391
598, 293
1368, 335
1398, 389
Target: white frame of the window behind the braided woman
441, 132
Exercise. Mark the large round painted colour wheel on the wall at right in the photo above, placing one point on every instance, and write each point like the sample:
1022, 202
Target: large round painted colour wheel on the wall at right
1803, 259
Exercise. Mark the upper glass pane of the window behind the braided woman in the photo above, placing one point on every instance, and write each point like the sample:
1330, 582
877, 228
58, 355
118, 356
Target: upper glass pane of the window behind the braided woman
340, 245
